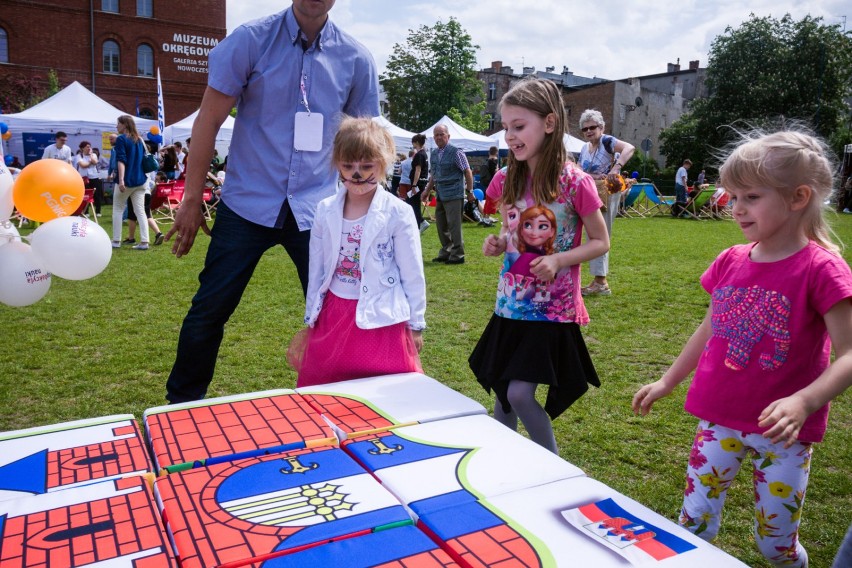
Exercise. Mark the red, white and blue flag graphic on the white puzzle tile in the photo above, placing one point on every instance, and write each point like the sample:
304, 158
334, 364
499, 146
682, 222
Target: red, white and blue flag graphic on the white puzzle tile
628, 535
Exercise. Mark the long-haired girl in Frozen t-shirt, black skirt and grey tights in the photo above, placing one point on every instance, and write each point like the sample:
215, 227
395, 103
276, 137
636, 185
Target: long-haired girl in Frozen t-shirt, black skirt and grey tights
533, 338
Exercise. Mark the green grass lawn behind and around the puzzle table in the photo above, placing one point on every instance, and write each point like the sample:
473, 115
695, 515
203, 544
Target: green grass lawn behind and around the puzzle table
106, 345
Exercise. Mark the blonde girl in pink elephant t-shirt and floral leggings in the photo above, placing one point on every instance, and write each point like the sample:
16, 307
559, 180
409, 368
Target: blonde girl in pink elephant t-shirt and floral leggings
763, 376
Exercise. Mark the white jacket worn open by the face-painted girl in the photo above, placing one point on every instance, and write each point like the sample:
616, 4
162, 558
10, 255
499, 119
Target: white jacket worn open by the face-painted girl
393, 285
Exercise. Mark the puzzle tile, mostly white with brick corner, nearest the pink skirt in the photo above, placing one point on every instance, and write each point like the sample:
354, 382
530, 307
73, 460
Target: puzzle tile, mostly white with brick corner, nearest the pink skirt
380, 403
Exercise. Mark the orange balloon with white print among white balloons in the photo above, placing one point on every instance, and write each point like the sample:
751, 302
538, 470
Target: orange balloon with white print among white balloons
48, 189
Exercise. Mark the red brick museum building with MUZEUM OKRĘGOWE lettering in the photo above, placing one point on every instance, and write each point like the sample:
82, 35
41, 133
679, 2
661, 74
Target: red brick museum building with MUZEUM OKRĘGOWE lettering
114, 48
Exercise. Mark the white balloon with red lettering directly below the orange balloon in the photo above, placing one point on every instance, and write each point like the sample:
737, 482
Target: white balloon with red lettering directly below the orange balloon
72, 247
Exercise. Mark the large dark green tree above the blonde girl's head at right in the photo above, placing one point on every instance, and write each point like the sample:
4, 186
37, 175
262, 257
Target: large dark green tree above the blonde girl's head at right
764, 72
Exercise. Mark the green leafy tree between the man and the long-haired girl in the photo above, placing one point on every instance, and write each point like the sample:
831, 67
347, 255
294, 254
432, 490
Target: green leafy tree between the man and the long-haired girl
432, 72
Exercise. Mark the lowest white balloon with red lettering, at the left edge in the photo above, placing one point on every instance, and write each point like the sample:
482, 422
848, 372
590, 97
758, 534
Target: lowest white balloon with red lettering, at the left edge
23, 278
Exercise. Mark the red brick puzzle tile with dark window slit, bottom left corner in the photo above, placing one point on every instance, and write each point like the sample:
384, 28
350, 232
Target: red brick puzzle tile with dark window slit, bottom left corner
112, 523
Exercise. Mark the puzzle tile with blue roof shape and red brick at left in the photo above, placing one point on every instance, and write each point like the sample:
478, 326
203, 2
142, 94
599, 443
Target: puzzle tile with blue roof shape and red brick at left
61, 456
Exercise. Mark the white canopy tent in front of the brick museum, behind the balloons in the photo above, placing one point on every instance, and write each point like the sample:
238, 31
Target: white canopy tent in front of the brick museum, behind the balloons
75, 110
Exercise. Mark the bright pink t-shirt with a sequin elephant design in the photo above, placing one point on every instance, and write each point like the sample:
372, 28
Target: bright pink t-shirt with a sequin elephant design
769, 336
